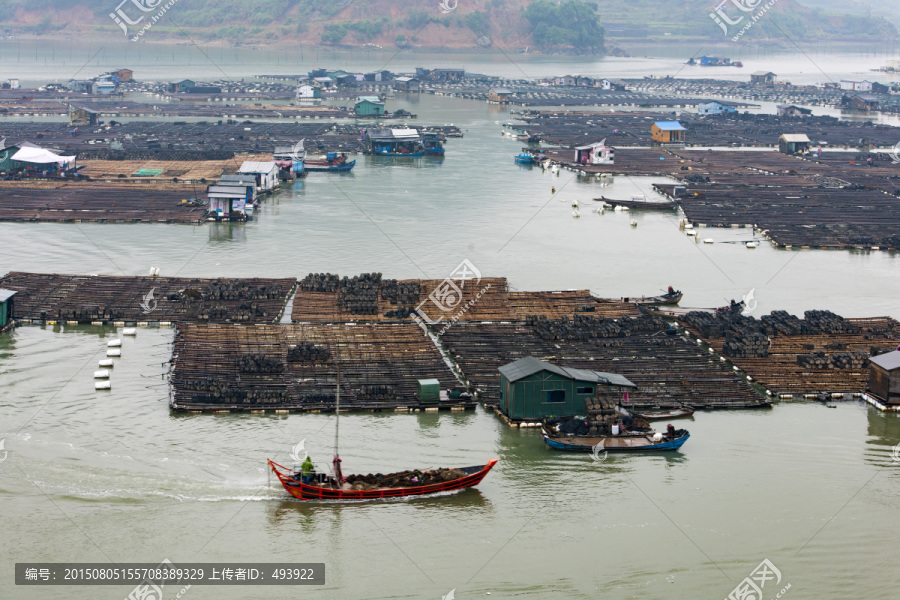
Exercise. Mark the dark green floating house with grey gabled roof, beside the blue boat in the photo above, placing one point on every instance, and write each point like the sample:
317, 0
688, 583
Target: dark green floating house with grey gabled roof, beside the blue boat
532, 389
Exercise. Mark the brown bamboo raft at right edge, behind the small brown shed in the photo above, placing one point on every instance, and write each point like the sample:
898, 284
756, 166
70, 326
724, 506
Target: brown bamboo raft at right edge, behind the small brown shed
782, 374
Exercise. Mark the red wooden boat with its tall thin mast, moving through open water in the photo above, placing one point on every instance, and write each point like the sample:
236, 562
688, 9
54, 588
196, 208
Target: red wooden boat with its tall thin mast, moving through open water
374, 487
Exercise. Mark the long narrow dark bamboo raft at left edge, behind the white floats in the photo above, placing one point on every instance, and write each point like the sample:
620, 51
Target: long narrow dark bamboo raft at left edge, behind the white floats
110, 299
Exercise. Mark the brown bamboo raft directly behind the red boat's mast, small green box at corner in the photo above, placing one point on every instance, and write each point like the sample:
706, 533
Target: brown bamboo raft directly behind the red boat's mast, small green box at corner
294, 367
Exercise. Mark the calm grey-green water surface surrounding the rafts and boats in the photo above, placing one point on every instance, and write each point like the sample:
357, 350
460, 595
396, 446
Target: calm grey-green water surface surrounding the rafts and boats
116, 477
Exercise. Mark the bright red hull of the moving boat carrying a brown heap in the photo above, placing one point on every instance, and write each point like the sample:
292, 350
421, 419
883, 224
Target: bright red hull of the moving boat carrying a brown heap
305, 491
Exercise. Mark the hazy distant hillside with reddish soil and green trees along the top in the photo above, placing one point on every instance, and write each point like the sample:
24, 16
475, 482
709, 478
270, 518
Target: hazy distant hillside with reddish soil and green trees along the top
579, 26
